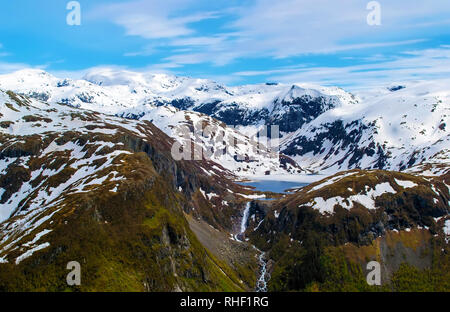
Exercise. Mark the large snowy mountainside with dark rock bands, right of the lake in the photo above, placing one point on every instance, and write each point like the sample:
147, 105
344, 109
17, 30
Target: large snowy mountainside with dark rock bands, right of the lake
391, 130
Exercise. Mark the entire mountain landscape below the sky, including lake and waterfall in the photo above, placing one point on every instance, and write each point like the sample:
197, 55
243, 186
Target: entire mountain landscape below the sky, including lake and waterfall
88, 174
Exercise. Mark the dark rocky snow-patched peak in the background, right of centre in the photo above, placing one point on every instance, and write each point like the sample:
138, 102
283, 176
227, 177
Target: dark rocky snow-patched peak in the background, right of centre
288, 106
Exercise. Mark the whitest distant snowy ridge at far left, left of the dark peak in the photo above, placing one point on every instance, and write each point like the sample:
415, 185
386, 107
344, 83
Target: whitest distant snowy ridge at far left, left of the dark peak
111, 91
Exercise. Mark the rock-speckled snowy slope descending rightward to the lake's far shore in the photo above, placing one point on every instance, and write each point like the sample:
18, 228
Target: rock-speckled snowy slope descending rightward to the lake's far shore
240, 154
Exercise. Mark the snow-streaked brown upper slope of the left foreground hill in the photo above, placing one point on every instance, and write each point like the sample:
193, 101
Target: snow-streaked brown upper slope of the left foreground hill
25, 125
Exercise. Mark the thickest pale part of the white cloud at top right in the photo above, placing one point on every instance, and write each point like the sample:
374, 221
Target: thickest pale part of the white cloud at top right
294, 27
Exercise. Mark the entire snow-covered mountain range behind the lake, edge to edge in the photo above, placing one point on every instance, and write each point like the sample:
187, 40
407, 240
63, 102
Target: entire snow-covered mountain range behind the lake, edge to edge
324, 129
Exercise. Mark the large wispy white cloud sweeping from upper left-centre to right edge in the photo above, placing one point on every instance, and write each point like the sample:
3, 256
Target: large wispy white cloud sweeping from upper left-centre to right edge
276, 29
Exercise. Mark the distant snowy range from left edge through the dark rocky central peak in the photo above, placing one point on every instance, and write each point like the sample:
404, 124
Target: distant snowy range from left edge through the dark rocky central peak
112, 91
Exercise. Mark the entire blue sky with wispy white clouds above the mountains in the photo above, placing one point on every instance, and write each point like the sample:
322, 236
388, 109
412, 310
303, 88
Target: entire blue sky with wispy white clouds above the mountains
327, 42
